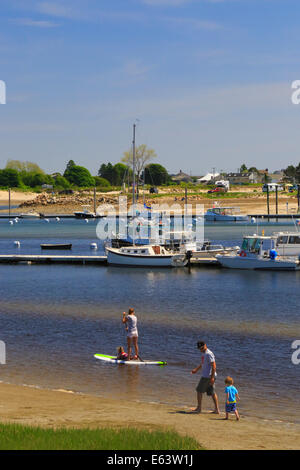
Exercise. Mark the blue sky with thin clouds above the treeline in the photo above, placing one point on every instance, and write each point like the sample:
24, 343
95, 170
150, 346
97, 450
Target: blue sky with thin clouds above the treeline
208, 80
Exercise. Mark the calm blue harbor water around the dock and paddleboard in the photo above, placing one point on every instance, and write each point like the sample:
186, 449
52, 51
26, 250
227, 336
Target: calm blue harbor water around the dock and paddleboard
54, 318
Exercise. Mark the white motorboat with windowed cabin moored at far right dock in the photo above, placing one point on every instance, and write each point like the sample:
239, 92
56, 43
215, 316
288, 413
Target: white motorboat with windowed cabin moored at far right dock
259, 252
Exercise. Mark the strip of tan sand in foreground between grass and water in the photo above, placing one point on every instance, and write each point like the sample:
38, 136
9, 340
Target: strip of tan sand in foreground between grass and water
31, 406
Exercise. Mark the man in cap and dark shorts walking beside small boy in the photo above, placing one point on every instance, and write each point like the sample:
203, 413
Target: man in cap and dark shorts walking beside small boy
207, 381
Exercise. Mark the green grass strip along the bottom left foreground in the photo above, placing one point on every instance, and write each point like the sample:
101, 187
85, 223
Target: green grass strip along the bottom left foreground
18, 437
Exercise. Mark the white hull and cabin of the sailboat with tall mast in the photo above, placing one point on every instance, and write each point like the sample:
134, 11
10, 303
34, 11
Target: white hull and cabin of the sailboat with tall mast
146, 255
